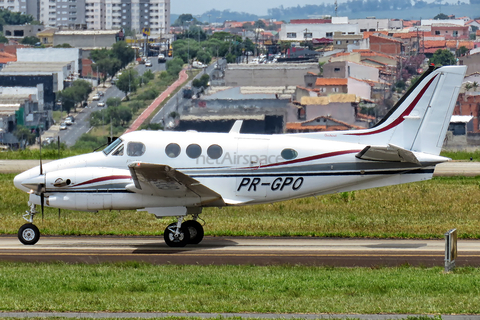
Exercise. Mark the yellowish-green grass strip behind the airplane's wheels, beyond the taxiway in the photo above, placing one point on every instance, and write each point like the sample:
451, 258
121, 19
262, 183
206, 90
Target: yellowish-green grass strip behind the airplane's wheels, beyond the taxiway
417, 210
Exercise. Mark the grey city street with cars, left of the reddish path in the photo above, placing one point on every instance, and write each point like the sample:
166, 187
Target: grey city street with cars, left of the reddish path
82, 123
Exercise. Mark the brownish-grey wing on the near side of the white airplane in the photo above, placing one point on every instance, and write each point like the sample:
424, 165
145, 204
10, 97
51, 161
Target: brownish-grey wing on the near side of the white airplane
164, 181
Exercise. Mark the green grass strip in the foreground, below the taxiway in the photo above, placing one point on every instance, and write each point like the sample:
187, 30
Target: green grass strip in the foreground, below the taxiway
137, 287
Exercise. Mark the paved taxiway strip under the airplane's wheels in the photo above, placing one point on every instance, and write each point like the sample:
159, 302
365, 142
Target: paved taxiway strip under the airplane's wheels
239, 250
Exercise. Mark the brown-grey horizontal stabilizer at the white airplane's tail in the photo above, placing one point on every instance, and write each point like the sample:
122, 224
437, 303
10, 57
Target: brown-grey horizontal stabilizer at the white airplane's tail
387, 153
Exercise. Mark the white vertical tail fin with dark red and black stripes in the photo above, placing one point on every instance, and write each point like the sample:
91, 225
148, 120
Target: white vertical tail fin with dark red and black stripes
420, 119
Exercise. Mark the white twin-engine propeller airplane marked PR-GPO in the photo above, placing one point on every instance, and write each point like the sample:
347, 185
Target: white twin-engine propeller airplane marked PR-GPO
179, 173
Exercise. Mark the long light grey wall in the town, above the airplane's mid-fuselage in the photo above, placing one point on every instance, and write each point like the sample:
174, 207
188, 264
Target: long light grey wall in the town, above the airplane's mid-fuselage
268, 75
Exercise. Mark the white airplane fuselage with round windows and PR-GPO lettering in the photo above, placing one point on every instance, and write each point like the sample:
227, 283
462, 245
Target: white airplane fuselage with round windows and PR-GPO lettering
242, 168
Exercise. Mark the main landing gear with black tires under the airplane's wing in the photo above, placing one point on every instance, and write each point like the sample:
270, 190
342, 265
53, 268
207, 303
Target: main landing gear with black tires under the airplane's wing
179, 234
